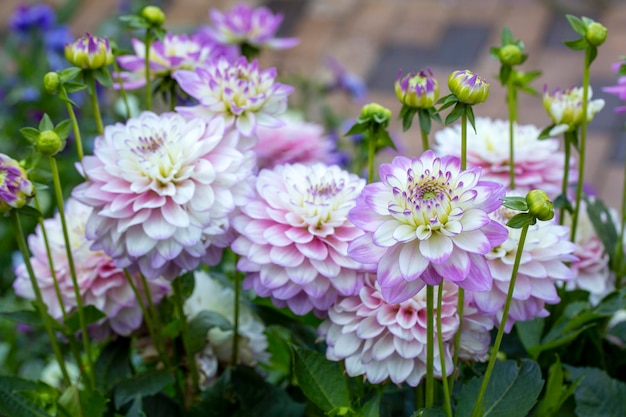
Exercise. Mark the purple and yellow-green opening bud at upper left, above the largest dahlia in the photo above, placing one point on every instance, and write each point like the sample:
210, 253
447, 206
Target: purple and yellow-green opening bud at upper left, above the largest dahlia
89, 52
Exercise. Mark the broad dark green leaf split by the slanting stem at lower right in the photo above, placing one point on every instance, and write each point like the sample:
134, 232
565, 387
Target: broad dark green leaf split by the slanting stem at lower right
512, 390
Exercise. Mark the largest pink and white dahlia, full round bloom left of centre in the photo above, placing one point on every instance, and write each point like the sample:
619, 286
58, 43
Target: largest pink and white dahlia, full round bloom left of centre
163, 188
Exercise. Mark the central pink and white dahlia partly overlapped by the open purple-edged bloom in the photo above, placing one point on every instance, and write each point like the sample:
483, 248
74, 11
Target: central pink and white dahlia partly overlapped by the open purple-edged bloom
295, 234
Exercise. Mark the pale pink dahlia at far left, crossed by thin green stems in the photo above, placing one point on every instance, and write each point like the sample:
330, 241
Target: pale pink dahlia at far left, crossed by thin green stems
101, 283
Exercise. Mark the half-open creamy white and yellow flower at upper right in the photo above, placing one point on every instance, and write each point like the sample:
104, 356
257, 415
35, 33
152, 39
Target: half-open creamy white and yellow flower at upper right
565, 108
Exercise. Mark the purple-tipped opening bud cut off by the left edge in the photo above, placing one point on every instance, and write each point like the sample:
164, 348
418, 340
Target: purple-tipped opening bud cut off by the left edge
15, 187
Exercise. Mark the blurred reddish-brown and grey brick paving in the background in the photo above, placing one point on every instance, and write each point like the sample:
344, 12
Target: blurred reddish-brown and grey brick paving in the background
375, 38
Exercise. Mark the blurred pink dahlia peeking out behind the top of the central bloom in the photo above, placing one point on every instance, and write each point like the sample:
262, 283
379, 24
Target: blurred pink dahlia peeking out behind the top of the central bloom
295, 142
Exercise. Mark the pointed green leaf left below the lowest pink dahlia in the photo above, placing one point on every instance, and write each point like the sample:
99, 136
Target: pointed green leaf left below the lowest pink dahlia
320, 380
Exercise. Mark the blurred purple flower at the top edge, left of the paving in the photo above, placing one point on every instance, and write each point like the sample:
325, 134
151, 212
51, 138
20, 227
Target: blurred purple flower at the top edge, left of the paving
243, 24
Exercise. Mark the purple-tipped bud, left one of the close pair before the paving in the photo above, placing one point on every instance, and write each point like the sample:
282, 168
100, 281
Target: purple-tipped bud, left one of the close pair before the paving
419, 90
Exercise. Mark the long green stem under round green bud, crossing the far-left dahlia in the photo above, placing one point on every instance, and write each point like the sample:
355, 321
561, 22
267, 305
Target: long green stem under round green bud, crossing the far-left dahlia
70, 260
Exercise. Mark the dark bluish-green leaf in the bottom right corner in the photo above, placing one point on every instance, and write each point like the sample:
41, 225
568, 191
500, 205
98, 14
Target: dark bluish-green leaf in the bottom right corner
597, 394
